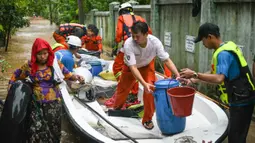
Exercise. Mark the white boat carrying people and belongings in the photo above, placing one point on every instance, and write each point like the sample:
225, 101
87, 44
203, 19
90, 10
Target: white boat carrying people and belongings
207, 123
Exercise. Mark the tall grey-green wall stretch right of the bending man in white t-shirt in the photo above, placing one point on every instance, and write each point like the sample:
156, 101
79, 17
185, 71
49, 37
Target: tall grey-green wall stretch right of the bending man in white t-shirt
235, 18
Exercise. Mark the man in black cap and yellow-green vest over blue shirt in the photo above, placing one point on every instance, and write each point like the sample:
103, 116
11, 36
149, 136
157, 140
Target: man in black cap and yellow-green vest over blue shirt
228, 67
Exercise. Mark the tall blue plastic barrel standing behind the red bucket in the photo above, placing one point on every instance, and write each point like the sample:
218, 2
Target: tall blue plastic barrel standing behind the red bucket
167, 122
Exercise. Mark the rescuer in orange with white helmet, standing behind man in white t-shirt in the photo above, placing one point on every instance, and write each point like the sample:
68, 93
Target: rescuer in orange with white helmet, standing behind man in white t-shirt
123, 31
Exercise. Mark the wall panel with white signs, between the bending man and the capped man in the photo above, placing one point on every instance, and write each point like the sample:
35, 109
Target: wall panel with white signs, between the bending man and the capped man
176, 18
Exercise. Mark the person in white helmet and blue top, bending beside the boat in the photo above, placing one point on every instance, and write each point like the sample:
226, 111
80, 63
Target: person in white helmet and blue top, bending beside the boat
65, 56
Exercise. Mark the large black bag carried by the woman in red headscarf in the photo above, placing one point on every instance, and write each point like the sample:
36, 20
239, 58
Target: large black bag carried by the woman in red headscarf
14, 118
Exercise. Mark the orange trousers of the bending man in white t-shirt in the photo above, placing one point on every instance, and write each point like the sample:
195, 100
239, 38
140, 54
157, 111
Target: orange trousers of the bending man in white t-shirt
127, 81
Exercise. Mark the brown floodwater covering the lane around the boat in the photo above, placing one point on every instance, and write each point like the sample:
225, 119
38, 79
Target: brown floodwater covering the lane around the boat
19, 51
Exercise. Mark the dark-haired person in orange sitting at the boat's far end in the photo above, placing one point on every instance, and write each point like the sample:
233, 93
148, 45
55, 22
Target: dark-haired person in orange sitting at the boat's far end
93, 41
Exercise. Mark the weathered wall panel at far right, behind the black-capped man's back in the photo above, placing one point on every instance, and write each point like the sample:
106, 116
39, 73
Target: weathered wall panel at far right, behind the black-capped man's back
236, 21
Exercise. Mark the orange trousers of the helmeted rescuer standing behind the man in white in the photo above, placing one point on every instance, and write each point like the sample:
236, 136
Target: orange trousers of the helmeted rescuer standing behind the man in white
117, 69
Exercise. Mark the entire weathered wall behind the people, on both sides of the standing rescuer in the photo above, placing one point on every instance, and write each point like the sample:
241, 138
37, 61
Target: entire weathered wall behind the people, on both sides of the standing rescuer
235, 18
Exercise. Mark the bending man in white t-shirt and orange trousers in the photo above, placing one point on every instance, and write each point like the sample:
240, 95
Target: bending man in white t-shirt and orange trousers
140, 51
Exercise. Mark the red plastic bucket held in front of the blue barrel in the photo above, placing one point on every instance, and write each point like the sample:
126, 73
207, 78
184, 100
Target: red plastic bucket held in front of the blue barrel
181, 99
